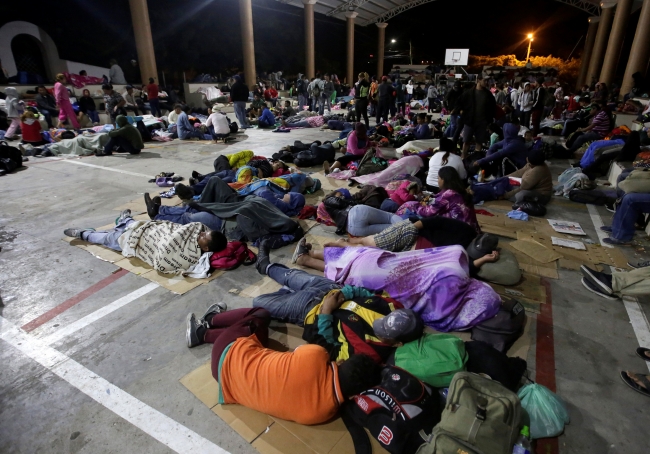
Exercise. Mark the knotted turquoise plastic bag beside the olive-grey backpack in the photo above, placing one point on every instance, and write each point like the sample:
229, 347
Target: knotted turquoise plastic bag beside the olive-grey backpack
548, 414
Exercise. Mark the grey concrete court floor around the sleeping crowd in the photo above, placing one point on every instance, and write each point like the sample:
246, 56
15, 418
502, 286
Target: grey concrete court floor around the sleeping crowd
112, 385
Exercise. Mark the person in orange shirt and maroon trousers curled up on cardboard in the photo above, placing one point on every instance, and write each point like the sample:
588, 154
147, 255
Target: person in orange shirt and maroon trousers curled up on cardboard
302, 386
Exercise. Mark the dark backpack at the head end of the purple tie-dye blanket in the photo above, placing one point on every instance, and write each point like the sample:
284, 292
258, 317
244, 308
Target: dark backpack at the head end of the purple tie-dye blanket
502, 330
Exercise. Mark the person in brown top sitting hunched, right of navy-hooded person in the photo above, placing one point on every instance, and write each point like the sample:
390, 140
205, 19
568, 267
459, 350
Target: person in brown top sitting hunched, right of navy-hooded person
536, 181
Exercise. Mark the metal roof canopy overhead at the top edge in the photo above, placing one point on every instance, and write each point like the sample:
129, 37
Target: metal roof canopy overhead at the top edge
372, 11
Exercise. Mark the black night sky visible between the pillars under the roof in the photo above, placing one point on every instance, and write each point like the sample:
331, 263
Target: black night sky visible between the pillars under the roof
204, 36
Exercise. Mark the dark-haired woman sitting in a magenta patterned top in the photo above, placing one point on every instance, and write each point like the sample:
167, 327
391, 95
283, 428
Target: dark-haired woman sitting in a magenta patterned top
453, 201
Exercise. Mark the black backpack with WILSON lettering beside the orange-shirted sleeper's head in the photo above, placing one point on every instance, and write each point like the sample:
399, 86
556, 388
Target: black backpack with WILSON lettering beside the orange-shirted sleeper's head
395, 412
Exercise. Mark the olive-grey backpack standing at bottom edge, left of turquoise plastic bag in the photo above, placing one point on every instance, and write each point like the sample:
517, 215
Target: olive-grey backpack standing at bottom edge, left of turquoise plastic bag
481, 416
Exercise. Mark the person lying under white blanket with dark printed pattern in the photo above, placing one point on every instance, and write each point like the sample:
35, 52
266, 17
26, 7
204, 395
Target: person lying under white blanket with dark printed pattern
167, 247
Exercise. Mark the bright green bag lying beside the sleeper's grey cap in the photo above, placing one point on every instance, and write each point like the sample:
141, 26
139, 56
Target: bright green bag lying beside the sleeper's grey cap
434, 358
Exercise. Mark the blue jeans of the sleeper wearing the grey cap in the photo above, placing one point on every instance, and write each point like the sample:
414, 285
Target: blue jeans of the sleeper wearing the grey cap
300, 292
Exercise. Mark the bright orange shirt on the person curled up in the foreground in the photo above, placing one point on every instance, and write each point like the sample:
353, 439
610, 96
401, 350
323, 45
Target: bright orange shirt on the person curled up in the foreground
301, 386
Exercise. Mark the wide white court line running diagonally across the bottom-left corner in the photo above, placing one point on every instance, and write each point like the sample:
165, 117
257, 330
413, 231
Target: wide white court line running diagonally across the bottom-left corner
149, 420
